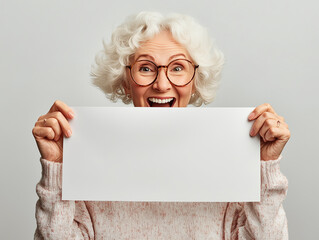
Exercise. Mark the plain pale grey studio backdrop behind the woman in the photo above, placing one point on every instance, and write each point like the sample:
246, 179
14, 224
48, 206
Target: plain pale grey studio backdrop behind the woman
47, 48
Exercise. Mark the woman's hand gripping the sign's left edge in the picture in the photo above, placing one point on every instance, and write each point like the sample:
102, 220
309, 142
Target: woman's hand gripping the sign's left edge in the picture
48, 131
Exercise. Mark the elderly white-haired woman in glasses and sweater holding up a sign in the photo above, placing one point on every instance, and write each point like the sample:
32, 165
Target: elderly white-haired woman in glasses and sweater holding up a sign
156, 61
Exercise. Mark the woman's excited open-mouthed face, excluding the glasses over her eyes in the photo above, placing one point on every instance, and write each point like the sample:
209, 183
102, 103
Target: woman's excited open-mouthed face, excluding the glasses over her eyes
162, 49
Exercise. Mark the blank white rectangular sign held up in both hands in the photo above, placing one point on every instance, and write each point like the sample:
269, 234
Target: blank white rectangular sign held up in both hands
161, 154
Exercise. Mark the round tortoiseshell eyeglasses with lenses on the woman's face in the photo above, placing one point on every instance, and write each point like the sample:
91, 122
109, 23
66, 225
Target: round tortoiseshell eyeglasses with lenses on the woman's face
179, 72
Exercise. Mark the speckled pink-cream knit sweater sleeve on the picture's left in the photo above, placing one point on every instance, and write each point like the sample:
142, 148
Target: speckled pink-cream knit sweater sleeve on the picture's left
57, 219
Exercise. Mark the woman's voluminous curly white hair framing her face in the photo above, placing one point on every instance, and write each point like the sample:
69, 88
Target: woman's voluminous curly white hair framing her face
108, 73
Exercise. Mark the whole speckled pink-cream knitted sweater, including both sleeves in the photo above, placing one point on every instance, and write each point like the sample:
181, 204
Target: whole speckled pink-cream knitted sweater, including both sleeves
57, 219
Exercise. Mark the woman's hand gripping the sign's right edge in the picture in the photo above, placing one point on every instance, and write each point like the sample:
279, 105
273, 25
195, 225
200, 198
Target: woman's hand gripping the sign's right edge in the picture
273, 131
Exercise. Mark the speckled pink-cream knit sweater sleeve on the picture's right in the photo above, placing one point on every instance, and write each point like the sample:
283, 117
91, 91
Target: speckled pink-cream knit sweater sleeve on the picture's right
265, 219
